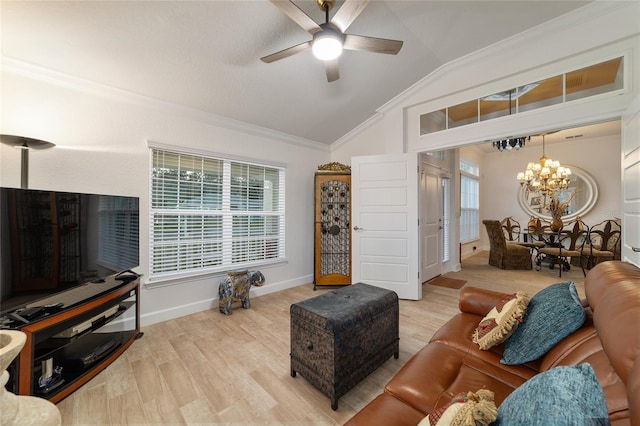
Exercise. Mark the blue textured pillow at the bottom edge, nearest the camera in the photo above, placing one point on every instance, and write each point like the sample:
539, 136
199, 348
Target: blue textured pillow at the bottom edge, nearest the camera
558, 397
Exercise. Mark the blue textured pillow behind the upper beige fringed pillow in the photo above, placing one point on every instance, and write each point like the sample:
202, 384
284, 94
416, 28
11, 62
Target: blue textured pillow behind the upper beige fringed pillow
553, 313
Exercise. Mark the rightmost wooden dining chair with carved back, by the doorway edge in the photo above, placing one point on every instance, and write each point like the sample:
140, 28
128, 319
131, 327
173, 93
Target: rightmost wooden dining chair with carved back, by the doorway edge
603, 242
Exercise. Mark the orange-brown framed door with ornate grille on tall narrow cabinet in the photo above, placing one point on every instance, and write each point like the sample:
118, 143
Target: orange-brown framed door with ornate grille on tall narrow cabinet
332, 229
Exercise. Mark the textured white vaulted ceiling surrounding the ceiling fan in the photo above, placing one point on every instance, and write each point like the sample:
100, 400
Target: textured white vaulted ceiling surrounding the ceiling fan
205, 54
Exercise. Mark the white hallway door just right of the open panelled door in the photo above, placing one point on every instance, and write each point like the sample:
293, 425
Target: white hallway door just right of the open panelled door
431, 224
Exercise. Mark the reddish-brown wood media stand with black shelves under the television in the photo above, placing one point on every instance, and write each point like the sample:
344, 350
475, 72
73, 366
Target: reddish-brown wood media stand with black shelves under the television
77, 343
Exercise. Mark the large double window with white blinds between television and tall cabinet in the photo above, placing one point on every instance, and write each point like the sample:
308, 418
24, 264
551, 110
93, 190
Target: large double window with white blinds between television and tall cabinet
211, 214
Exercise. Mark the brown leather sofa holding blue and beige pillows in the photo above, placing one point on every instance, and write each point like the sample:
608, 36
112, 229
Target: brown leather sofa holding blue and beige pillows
451, 363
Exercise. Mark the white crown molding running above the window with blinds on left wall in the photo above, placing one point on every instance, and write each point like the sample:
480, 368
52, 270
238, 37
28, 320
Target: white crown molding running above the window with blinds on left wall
24, 69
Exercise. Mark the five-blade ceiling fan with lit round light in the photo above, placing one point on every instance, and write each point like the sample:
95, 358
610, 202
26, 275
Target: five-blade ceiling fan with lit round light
329, 38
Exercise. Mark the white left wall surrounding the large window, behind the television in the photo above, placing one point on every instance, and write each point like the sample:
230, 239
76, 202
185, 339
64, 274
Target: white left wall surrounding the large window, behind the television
101, 147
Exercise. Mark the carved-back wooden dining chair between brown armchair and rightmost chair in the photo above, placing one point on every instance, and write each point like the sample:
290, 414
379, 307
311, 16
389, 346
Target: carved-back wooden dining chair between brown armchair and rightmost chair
565, 245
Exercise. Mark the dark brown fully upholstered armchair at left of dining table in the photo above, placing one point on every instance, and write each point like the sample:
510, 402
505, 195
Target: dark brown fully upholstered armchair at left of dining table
503, 255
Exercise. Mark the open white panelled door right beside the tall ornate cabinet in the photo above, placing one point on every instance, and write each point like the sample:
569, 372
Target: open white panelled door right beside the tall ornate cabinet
385, 223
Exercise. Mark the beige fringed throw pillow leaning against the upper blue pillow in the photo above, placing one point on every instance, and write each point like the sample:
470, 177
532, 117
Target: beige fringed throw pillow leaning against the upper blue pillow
501, 321
